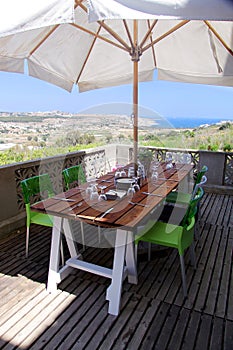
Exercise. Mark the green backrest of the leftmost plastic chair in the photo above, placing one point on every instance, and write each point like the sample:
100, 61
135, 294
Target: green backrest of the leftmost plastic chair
38, 187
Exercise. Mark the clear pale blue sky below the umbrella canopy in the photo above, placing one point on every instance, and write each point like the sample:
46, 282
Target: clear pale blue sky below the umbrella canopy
23, 93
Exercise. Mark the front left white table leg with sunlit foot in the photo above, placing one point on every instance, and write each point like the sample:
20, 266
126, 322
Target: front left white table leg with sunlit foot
54, 255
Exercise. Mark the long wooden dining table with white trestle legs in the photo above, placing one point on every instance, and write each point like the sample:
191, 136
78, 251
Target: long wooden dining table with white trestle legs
124, 214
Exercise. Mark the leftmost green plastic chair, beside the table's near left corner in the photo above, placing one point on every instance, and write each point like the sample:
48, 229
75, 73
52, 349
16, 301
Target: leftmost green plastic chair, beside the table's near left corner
35, 189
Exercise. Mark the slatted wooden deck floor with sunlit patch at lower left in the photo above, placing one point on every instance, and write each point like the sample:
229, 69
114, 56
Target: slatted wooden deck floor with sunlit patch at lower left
153, 313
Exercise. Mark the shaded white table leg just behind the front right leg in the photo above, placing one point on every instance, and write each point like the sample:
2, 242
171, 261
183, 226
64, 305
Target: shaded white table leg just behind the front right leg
130, 259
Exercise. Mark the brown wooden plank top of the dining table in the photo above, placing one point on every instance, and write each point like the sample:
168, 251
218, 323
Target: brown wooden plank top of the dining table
75, 203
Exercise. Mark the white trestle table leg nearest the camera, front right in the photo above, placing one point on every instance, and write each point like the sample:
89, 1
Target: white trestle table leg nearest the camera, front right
114, 290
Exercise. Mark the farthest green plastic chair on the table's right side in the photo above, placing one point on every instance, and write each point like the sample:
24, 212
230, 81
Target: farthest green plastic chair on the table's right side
178, 197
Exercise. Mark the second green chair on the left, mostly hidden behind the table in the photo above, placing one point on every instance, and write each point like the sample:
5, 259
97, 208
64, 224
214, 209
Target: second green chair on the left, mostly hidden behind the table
74, 176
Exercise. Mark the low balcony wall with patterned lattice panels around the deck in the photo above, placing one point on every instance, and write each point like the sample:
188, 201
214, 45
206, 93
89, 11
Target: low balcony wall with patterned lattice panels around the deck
12, 214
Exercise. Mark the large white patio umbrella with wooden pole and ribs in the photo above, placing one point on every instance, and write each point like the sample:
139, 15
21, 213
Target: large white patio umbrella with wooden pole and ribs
185, 40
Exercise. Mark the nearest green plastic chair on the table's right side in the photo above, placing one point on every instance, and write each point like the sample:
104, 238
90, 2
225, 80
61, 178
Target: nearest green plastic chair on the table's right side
179, 237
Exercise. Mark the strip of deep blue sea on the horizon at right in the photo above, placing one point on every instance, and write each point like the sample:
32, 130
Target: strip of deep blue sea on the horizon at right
190, 123
